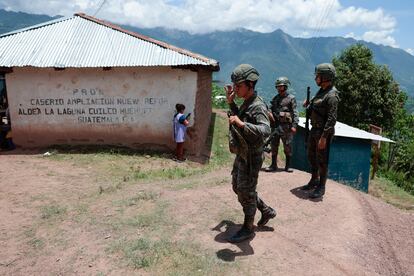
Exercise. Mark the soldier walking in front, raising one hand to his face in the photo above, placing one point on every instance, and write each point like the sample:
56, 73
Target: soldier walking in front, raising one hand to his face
252, 122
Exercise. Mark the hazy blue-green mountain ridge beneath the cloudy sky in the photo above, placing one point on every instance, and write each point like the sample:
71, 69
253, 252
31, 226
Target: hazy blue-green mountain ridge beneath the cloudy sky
273, 54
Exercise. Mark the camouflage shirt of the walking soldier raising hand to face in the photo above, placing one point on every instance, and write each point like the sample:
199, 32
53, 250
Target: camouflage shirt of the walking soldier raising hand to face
253, 112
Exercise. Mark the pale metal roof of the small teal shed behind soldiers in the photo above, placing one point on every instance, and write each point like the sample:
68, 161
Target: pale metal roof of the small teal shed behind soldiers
344, 130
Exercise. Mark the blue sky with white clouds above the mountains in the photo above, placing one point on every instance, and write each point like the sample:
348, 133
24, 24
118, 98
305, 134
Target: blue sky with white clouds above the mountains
384, 22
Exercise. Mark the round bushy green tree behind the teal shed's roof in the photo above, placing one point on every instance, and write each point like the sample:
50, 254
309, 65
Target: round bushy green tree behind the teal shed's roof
369, 94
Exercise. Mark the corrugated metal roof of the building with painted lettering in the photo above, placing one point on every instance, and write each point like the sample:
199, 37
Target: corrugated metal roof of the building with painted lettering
84, 41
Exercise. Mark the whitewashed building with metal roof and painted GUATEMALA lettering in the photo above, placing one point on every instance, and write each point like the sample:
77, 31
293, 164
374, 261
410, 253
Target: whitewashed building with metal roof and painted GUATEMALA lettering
82, 81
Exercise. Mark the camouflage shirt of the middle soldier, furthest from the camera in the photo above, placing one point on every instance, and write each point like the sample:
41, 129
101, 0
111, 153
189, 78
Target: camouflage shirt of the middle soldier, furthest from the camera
284, 109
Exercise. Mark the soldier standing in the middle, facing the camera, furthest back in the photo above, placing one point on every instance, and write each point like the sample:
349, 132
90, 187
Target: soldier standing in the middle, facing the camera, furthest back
284, 117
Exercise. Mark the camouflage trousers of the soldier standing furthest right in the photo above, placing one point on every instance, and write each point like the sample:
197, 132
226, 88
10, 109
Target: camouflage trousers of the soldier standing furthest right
318, 159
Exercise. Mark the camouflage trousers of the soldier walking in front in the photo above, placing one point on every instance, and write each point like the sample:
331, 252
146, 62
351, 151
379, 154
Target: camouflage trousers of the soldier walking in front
244, 181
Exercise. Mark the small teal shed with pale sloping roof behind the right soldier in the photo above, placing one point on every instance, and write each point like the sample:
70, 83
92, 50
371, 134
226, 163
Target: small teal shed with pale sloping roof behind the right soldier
349, 158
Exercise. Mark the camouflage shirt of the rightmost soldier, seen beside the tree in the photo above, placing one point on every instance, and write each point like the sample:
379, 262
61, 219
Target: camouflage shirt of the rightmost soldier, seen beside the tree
324, 108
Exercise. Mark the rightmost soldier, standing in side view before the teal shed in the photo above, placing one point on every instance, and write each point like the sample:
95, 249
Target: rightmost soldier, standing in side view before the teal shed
323, 113
